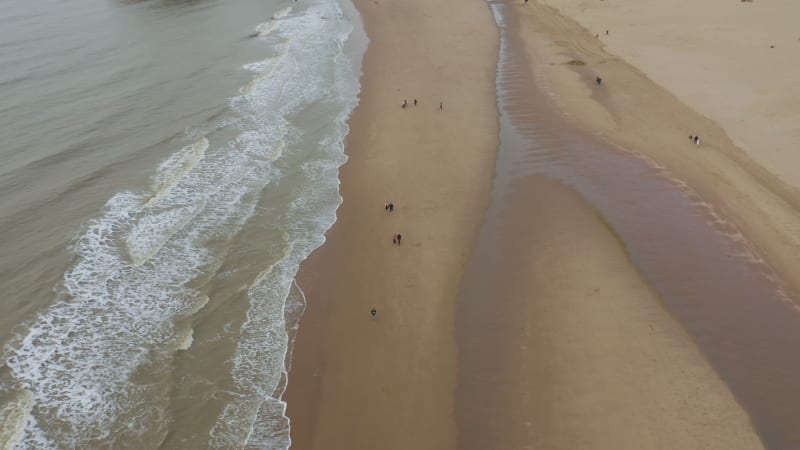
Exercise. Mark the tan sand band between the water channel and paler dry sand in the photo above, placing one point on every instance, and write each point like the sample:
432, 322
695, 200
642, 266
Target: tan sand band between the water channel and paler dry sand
632, 111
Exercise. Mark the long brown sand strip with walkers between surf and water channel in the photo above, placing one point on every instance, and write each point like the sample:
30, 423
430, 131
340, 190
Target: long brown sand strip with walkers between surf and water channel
388, 383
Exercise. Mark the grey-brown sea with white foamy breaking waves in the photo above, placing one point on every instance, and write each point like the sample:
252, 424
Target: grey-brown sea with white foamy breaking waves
167, 165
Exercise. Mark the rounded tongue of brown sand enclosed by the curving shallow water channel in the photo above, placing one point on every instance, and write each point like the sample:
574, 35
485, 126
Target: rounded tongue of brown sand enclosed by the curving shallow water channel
572, 350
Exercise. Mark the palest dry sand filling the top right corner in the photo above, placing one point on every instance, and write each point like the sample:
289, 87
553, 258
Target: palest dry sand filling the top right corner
715, 56
